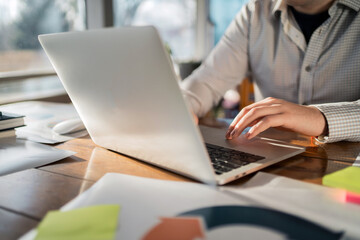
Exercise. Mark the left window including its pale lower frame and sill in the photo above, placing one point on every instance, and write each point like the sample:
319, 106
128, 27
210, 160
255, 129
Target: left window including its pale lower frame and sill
25, 72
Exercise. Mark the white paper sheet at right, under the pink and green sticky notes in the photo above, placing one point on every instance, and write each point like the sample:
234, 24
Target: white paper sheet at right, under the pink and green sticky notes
322, 205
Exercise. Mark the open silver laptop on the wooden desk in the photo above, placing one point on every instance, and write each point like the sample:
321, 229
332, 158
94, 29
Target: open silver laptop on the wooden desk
123, 85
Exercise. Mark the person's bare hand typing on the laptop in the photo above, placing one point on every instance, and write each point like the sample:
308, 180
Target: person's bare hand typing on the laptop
272, 112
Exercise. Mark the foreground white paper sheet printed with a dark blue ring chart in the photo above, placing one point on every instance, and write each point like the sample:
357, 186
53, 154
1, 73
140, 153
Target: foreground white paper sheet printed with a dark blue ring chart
148, 205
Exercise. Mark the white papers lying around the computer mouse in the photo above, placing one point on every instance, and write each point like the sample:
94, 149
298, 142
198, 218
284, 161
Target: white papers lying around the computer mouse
40, 117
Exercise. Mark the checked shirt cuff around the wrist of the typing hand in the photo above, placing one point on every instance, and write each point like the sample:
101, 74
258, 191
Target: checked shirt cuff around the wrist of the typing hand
343, 120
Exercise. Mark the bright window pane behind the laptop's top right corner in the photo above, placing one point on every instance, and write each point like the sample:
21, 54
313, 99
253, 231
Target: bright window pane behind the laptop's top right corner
175, 20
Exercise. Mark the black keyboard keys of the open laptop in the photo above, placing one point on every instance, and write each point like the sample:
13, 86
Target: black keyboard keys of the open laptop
226, 159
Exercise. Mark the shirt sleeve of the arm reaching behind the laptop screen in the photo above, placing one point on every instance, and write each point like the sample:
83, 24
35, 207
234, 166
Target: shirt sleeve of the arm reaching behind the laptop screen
223, 69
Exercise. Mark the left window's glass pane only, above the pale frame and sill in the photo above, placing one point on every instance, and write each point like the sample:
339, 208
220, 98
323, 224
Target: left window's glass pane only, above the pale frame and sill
21, 21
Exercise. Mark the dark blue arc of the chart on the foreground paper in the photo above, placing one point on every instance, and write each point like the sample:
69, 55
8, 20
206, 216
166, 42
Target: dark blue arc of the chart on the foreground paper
290, 226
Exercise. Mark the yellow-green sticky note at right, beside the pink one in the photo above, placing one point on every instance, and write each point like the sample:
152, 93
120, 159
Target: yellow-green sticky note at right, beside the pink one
347, 178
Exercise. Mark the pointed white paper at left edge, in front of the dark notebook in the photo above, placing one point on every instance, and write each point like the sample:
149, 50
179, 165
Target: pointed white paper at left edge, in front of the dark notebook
17, 155
